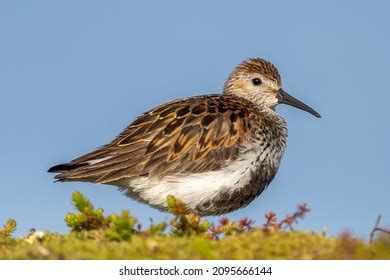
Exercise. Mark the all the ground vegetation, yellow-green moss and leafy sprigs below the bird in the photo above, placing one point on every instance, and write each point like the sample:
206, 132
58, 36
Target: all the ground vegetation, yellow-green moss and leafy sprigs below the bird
96, 236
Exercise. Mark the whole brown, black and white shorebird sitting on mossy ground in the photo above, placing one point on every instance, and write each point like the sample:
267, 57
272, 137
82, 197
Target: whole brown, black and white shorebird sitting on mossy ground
215, 152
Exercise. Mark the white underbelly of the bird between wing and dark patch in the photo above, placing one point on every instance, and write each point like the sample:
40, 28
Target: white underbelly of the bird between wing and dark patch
195, 189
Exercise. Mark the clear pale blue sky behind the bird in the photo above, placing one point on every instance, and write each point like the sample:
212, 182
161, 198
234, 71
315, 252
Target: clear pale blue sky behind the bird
73, 74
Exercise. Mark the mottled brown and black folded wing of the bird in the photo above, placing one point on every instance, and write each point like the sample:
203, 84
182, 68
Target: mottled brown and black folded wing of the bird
191, 135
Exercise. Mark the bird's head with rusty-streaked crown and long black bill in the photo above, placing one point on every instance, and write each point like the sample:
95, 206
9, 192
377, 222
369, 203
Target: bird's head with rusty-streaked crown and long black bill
259, 81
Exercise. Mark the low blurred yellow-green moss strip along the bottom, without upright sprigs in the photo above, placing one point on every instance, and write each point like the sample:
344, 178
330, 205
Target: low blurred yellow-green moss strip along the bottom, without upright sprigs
251, 245
